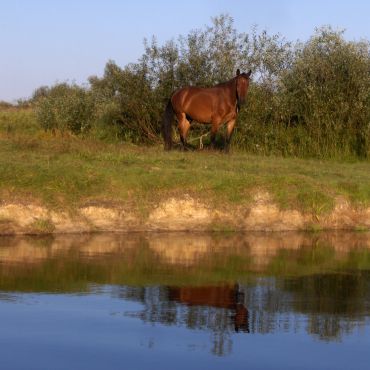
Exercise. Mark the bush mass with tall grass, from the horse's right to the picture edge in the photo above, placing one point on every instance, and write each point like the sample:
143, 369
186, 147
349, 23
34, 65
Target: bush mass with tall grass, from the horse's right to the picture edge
319, 105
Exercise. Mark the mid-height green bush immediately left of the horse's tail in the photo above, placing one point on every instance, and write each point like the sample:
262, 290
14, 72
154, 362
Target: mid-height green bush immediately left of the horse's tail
125, 105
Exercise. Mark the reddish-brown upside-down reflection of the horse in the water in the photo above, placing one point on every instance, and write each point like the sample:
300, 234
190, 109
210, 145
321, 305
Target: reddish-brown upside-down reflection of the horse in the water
224, 296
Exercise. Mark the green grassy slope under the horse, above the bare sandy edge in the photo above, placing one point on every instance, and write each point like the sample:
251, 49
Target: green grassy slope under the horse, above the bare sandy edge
69, 171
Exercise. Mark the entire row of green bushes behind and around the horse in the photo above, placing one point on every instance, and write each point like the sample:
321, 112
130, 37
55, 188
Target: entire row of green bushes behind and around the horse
306, 99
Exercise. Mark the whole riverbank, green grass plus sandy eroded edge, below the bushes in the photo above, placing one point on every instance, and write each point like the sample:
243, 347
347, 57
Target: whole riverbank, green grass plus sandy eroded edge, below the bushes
62, 183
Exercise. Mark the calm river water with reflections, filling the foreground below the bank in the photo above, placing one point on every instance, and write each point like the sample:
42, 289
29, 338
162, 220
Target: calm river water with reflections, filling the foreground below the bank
166, 301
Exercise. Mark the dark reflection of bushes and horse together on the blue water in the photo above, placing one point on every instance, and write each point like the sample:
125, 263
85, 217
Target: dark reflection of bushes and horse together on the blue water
326, 306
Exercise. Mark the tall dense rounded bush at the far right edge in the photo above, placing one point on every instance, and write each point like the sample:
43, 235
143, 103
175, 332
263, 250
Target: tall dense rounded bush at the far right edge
327, 90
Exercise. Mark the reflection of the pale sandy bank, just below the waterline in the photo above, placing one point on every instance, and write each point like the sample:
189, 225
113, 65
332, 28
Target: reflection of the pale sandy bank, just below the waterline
183, 249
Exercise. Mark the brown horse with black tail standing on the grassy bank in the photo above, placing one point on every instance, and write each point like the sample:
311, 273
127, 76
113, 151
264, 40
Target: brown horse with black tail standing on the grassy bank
214, 105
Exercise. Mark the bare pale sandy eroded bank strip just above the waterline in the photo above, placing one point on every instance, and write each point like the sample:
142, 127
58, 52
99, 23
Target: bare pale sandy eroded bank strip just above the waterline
178, 214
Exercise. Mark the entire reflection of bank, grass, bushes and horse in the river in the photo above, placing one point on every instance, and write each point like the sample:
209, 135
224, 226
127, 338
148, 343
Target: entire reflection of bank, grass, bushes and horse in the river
224, 284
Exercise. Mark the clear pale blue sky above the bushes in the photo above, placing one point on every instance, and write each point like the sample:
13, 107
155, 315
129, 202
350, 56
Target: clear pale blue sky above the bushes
48, 41
